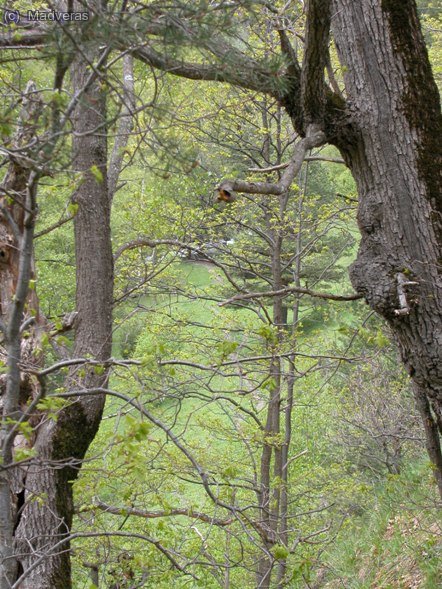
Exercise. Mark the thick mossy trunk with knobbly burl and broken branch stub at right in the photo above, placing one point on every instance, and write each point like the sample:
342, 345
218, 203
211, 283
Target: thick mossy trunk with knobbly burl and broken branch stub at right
396, 161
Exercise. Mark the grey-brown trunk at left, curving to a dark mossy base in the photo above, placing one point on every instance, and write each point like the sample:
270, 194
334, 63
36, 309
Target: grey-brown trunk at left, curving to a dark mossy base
46, 522
